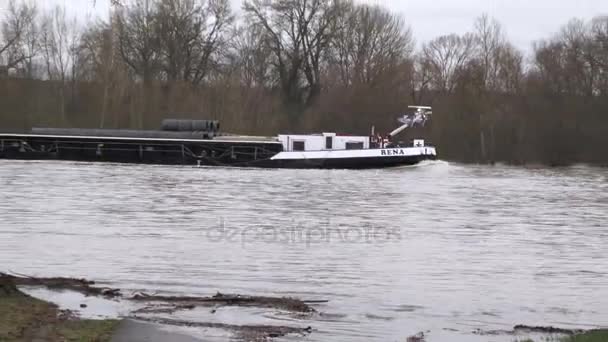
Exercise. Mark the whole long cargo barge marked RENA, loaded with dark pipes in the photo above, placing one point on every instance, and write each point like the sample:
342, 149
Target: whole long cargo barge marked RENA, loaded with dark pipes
200, 143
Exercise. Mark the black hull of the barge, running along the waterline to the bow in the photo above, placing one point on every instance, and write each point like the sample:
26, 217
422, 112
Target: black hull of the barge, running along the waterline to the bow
196, 152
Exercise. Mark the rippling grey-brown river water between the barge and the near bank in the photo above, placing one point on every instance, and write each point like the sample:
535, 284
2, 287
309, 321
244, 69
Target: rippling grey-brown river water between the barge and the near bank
439, 248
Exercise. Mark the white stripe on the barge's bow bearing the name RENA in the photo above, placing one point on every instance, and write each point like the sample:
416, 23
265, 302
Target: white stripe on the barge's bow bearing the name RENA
367, 153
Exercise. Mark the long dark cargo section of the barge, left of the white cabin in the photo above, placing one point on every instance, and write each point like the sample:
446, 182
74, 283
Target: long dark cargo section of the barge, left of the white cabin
136, 150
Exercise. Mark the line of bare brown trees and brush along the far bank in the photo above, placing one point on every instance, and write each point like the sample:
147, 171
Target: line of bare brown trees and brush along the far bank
308, 65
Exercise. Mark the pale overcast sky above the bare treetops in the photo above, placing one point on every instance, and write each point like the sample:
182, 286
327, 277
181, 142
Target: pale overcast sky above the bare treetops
524, 20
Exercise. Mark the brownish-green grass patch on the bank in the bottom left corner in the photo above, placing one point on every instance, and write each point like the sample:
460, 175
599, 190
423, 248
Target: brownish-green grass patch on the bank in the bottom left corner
23, 318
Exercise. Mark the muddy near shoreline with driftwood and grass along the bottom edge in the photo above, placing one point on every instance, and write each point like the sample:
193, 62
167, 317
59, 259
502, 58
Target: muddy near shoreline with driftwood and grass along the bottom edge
43, 321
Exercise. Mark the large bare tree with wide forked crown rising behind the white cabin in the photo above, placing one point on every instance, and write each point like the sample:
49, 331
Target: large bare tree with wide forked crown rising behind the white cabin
299, 32
